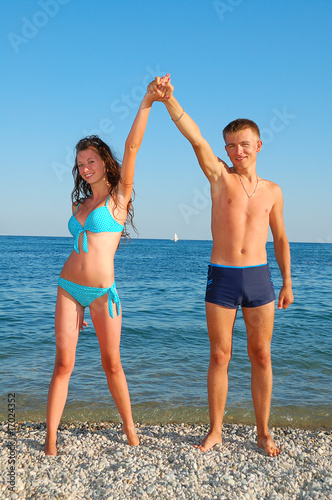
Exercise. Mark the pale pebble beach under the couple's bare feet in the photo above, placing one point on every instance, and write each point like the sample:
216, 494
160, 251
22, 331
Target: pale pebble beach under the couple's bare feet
95, 462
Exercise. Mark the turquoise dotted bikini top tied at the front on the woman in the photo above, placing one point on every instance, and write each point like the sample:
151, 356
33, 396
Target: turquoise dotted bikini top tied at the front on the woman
99, 220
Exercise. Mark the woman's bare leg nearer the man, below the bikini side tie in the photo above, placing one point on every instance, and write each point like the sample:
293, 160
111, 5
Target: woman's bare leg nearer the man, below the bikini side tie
108, 331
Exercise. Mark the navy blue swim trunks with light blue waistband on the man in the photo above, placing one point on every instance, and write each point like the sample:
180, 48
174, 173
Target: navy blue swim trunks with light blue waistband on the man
232, 287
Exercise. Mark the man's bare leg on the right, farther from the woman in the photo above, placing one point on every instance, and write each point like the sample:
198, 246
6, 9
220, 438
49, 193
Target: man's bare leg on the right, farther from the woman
259, 324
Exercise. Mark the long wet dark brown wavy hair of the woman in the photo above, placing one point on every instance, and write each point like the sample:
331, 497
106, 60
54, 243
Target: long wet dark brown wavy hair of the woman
82, 189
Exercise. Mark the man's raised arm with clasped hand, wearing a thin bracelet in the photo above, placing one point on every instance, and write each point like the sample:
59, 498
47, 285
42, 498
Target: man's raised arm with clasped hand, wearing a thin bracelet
209, 163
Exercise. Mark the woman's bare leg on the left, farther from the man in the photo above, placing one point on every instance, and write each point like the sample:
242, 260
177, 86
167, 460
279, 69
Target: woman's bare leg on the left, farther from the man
68, 319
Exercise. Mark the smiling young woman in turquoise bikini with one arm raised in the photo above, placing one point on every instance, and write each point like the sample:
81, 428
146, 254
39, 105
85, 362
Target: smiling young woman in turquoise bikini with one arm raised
101, 206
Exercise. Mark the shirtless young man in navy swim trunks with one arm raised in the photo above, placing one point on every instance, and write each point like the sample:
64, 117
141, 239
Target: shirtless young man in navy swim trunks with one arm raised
243, 208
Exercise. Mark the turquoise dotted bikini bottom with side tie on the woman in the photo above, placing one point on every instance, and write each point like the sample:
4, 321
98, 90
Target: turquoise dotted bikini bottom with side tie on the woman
84, 295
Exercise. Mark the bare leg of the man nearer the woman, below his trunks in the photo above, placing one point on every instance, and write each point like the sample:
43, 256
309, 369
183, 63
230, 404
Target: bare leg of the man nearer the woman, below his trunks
220, 323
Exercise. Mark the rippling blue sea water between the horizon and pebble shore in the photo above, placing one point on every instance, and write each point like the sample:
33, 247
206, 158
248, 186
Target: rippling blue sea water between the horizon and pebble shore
164, 343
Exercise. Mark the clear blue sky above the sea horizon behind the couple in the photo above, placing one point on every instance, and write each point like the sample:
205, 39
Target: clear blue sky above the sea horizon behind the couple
71, 68
